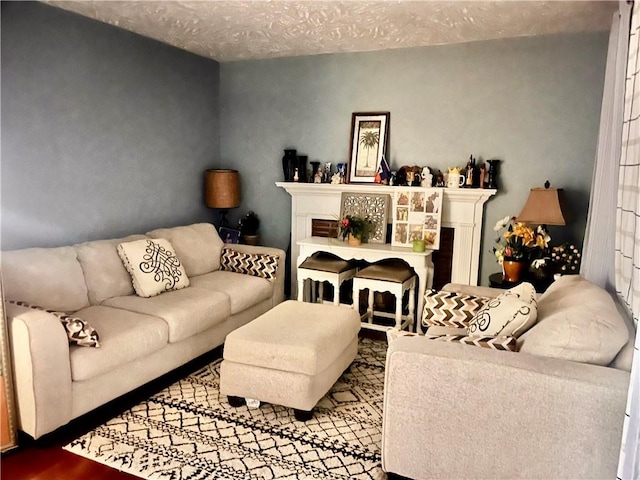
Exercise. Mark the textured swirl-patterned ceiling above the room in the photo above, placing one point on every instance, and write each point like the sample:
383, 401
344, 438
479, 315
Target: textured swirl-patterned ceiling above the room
238, 30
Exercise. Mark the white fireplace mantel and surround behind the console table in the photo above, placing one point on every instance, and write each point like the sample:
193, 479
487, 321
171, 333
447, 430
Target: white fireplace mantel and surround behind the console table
462, 210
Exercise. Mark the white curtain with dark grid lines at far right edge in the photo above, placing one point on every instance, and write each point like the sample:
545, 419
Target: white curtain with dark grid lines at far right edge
627, 244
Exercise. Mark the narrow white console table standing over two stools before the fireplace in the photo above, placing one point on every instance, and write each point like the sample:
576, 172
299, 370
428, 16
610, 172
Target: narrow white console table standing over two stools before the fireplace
373, 252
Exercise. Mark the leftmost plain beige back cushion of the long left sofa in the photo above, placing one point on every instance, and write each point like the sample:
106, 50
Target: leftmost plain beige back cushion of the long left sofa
49, 277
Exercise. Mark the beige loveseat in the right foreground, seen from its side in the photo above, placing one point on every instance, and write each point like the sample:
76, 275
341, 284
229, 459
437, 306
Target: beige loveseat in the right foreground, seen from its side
552, 409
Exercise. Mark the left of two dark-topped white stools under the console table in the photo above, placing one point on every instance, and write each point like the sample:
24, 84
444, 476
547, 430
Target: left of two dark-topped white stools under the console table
324, 267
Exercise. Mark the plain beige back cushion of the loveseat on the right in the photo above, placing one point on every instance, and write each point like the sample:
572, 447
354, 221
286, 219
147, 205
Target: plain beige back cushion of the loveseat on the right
577, 321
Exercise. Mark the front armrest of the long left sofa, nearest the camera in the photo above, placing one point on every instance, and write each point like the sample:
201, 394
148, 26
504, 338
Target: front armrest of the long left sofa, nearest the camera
42, 370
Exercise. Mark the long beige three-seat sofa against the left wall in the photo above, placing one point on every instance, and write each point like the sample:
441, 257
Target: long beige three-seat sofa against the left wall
140, 338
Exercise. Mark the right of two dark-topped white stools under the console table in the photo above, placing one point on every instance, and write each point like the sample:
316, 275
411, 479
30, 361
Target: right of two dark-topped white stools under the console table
393, 276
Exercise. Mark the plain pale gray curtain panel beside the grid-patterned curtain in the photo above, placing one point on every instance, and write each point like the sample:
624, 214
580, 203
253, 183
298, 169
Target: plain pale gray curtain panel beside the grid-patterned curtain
598, 252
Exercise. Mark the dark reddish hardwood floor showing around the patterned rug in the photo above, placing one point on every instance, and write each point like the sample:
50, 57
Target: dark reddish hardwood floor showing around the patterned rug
46, 460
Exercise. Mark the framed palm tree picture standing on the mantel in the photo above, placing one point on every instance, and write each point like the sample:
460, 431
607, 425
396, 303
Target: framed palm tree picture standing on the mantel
369, 139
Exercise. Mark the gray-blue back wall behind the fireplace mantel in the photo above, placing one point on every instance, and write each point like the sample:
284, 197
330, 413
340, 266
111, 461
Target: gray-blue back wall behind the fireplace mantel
534, 103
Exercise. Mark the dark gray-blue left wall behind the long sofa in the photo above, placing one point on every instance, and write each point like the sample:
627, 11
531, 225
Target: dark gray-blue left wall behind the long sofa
104, 132
